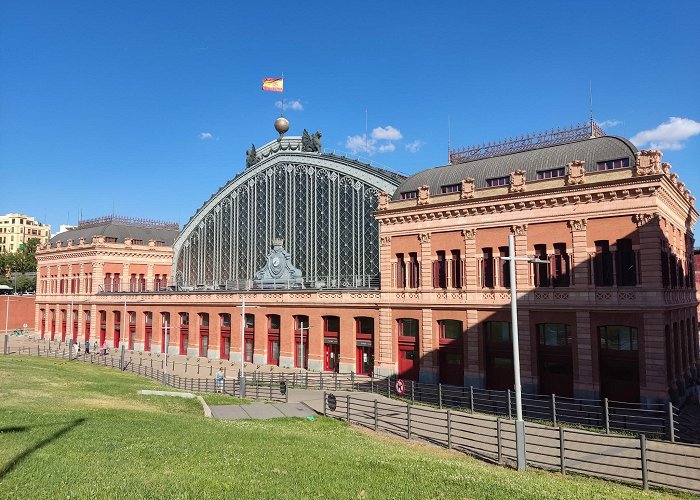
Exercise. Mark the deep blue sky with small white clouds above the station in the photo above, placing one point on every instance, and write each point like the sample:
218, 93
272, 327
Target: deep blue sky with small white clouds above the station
144, 109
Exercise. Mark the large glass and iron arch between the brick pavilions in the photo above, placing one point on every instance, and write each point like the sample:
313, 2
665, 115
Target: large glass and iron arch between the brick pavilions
320, 204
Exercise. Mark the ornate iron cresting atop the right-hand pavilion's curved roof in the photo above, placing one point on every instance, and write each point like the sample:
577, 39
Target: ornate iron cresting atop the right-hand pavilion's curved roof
527, 142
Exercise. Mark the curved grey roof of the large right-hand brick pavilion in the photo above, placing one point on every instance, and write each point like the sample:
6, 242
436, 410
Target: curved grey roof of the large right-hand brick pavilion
591, 151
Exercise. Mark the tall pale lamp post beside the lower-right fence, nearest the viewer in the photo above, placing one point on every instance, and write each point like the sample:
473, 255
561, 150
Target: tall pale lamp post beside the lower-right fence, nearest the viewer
519, 423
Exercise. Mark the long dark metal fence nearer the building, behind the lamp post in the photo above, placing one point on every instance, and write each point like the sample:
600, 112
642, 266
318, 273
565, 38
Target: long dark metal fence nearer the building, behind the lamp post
659, 421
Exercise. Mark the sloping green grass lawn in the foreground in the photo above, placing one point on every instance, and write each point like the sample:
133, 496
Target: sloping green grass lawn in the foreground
70, 430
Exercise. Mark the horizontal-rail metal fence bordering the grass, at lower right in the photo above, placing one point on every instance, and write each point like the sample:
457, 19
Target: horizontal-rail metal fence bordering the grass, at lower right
635, 460
